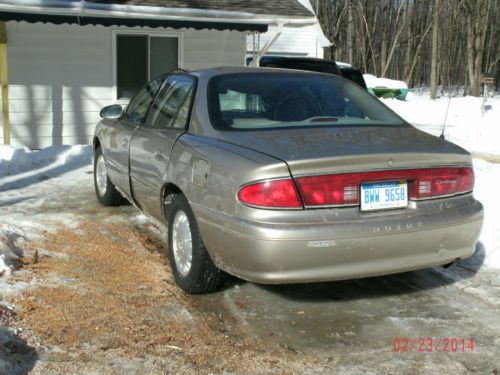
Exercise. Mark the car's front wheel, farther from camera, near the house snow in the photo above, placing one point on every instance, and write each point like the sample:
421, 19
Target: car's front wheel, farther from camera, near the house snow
105, 190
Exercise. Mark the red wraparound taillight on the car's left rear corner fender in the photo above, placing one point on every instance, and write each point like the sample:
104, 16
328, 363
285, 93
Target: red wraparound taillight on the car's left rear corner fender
275, 194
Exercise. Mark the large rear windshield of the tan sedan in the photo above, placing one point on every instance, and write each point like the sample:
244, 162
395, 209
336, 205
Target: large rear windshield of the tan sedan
244, 101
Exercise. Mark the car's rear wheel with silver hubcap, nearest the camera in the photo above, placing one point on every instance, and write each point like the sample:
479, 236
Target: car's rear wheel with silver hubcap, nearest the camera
192, 266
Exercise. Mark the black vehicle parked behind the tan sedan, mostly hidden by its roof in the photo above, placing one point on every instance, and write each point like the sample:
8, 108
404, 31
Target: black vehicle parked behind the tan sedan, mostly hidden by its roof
313, 65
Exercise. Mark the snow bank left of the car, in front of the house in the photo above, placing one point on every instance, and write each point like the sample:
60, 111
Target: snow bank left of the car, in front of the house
30, 179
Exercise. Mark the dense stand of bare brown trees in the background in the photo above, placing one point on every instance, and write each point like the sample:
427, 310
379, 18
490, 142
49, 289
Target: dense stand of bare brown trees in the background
392, 38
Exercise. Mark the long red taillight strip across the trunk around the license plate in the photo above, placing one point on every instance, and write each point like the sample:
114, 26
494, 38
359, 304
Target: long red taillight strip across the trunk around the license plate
343, 189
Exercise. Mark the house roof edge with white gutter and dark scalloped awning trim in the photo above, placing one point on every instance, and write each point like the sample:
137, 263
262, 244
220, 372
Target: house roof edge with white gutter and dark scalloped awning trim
238, 15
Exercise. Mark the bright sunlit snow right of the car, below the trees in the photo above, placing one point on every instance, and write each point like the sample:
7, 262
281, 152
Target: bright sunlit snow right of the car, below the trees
464, 124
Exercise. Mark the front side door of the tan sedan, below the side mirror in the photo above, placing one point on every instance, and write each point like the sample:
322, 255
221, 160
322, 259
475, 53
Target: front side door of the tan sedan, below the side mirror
117, 151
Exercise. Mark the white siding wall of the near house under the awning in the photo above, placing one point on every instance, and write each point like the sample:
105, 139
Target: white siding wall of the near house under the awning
60, 76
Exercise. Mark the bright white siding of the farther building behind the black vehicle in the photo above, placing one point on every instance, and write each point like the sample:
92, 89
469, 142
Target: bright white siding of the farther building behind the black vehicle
293, 41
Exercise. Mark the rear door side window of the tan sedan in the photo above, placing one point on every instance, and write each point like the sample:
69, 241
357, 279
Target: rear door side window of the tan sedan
171, 107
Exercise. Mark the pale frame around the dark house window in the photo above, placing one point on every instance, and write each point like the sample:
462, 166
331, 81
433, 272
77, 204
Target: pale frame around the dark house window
150, 33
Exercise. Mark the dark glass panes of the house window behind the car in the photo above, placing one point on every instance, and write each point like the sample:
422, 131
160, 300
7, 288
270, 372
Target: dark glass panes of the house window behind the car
141, 57
